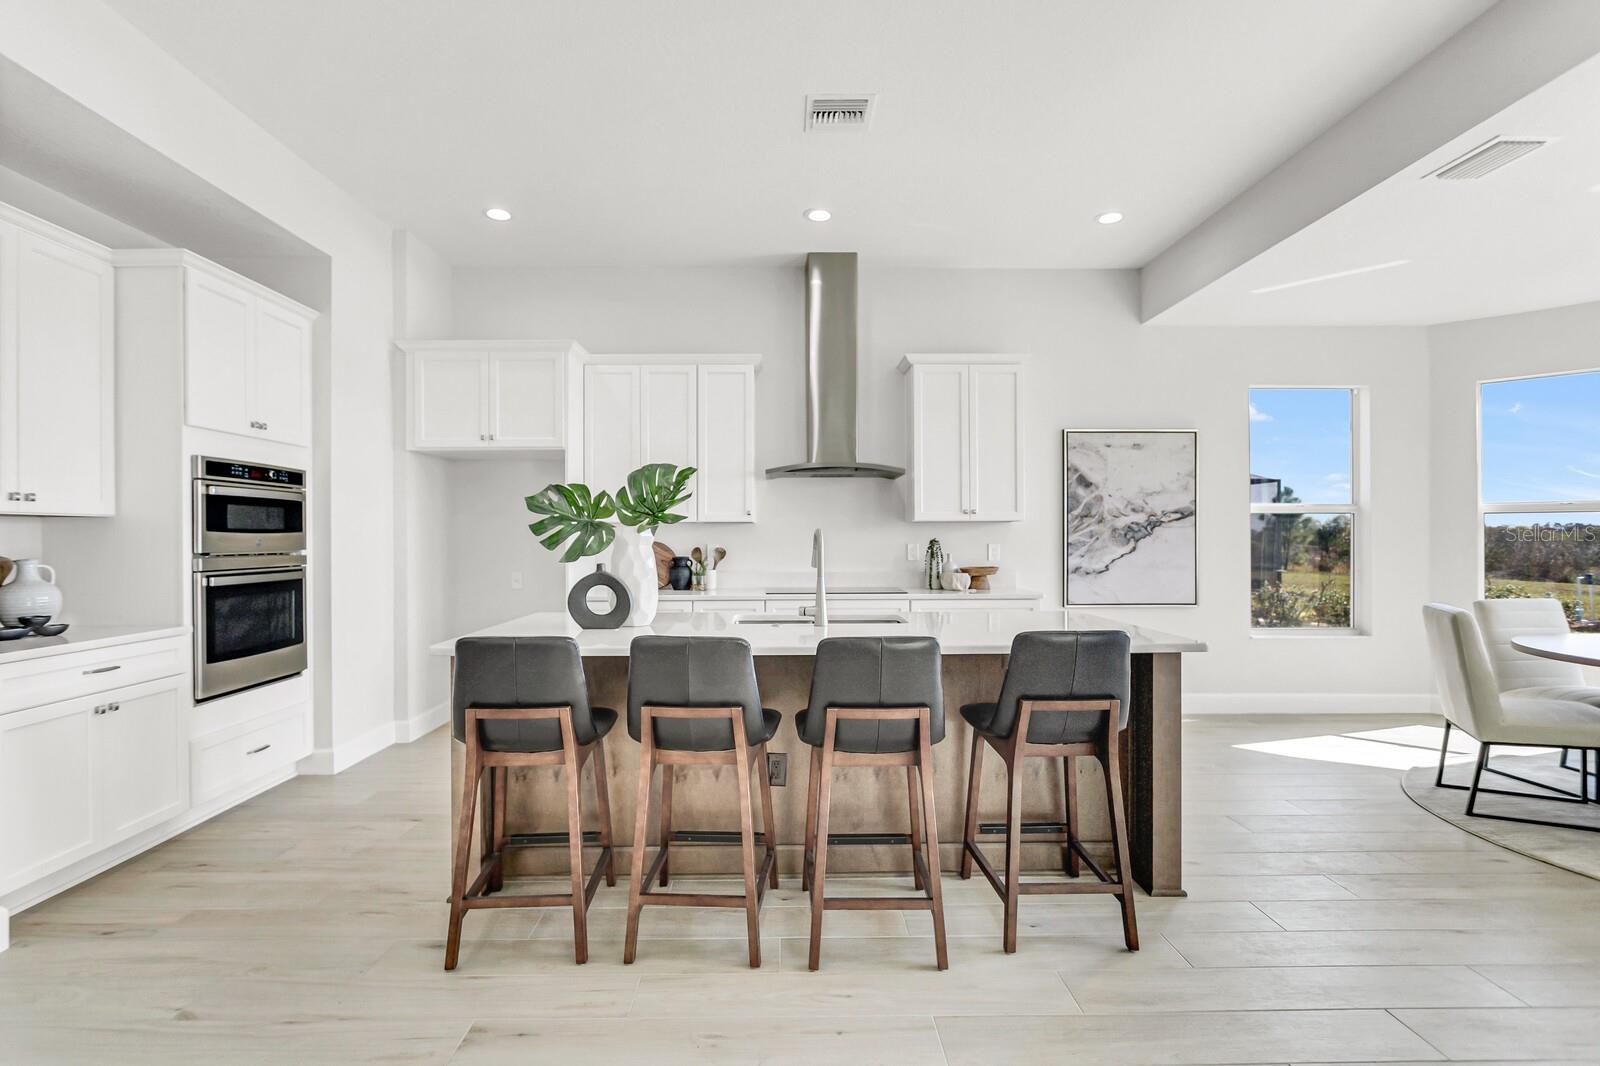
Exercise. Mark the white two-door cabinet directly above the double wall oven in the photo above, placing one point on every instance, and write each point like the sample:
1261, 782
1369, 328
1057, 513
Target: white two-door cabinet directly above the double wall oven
247, 355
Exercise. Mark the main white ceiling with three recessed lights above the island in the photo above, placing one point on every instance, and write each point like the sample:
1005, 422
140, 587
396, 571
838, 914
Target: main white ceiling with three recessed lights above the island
628, 132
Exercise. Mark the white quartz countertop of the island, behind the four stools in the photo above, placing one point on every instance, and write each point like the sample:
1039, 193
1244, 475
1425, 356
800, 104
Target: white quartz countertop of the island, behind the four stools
959, 633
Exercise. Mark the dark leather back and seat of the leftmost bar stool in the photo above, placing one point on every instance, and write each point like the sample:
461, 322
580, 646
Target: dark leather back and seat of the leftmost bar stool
526, 673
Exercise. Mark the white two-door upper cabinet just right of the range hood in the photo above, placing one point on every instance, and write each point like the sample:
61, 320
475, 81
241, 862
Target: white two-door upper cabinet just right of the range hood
966, 417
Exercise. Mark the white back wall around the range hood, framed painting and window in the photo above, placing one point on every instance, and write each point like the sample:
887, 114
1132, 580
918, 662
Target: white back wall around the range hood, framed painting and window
1092, 366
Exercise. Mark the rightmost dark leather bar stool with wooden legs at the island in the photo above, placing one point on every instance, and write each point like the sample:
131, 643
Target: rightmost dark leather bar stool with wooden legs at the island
1065, 695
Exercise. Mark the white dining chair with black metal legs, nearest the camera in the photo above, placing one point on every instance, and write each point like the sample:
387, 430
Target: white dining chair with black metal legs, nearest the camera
1474, 703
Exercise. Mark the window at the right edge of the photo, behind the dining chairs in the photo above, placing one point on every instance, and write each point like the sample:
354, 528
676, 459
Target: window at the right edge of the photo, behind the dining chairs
1540, 491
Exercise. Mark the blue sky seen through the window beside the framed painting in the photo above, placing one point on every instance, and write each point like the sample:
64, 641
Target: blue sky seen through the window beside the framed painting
1303, 439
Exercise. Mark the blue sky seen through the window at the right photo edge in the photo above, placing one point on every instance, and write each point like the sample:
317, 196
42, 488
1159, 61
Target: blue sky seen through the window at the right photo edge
1542, 439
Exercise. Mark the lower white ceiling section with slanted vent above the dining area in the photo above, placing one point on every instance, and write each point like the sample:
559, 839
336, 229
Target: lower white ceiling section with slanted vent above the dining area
1519, 239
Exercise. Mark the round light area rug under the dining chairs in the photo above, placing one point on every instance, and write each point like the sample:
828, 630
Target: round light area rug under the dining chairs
1569, 849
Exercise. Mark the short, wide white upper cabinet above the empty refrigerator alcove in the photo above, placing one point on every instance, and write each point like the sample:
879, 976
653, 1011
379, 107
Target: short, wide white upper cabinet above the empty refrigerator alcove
487, 396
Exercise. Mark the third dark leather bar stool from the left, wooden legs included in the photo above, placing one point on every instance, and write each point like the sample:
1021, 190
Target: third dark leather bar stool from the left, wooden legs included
876, 702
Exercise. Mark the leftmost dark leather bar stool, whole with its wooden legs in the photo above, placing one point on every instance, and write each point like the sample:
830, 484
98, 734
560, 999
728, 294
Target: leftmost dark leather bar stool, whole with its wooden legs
524, 702
